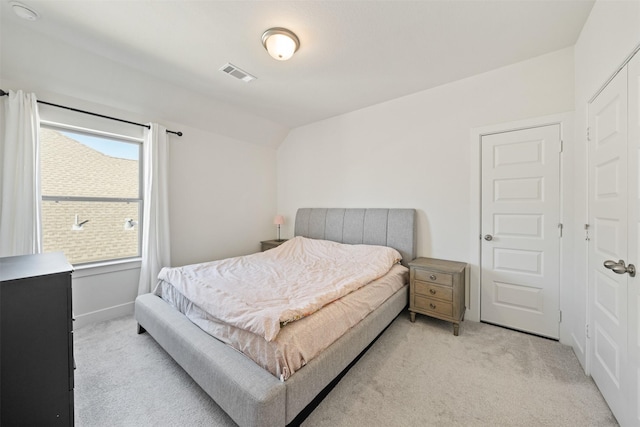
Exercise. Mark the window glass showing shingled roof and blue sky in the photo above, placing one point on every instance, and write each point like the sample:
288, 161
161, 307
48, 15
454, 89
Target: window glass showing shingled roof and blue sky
91, 194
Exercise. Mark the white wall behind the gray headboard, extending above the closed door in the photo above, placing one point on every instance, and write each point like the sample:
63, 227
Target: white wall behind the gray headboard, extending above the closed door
415, 151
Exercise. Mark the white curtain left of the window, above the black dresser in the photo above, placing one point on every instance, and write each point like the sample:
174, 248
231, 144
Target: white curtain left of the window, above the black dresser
20, 194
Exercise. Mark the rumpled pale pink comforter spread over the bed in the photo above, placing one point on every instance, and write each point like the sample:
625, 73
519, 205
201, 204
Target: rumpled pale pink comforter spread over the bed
263, 291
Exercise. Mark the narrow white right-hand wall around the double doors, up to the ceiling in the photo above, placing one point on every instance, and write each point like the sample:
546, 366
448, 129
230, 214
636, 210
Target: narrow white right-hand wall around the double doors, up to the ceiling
610, 34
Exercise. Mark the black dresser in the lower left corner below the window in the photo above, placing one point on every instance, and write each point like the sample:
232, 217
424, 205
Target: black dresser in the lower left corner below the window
36, 340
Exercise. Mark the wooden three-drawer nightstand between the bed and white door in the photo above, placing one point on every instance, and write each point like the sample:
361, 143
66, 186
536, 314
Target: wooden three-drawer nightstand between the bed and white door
437, 289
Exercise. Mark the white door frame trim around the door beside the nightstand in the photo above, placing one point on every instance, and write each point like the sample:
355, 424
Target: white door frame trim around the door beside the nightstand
566, 122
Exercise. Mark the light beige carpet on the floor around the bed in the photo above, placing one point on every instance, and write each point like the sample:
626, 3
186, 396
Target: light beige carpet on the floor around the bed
415, 375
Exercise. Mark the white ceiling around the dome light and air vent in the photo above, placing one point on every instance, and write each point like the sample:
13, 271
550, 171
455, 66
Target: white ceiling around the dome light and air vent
353, 54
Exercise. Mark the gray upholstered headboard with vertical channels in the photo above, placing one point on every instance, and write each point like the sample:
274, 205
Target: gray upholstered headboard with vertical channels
395, 228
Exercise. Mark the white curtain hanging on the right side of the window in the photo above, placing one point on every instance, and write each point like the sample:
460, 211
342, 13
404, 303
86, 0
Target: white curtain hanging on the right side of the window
155, 218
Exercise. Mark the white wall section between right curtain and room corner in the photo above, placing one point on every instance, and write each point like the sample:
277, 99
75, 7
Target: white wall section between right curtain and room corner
222, 196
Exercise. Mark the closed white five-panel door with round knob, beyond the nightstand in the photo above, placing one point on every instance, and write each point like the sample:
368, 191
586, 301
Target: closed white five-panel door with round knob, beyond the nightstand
520, 257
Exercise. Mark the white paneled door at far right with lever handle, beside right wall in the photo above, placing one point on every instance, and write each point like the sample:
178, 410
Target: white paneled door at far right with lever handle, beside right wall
614, 234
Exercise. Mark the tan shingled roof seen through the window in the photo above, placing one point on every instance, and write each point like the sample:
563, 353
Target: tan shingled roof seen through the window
70, 168
